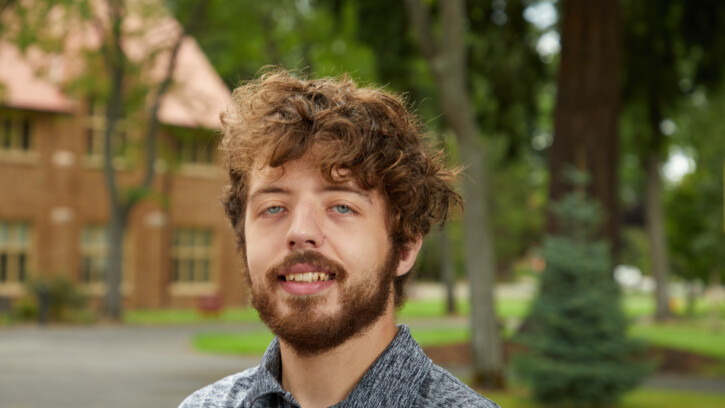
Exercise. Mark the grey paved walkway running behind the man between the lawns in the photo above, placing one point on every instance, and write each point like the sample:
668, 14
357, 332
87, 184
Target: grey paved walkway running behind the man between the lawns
128, 366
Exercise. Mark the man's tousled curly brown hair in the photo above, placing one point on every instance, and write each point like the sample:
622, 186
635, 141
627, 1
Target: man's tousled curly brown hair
367, 132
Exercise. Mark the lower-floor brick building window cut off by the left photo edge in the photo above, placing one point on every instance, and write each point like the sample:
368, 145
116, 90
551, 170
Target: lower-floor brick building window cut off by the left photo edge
14, 251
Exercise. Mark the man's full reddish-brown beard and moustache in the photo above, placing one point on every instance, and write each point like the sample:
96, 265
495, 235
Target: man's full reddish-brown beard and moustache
309, 332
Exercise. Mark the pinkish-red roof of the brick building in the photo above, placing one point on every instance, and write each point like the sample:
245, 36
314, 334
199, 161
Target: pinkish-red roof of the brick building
33, 80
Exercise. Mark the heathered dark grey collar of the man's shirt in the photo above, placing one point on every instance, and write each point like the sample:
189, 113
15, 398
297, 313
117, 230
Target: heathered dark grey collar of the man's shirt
398, 374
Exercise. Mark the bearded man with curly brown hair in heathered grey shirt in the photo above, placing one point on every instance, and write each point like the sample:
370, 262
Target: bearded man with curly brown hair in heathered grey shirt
332, 190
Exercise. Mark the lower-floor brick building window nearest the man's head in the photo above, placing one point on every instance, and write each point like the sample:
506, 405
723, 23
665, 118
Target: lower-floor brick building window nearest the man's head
191, 255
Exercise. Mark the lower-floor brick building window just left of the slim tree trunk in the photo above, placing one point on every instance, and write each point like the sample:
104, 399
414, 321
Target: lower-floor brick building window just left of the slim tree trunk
94, 254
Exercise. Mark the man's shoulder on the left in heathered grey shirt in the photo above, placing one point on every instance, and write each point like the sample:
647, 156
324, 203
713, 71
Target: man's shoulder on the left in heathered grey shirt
225, 393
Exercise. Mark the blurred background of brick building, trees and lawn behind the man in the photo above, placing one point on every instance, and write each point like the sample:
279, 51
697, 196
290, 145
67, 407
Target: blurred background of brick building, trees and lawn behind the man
586, 270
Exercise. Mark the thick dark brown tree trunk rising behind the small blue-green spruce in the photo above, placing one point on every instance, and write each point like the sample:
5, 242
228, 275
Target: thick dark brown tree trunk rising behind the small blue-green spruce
587, 106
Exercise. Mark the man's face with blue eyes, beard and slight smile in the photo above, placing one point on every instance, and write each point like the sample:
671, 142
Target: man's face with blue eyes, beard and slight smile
318, 255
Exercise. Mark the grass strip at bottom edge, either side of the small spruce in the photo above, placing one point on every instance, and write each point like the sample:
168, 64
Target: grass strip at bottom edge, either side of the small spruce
641, 398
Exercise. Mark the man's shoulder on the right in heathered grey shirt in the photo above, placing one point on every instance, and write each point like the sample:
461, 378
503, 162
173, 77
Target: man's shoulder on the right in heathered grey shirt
442, 389
